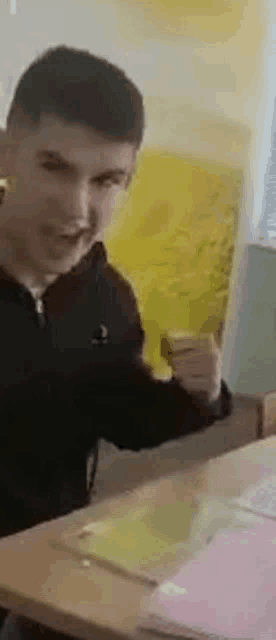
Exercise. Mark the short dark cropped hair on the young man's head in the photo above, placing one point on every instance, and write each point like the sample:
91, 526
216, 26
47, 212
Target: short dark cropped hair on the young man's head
78, 87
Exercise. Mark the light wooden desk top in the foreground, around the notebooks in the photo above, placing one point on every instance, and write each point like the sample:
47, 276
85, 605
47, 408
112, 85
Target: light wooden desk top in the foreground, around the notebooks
56, 589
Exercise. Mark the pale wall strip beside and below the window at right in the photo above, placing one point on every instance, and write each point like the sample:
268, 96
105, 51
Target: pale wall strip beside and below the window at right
245, 323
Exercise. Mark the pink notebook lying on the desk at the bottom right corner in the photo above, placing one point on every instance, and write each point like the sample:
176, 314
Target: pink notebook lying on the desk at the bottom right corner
228, 591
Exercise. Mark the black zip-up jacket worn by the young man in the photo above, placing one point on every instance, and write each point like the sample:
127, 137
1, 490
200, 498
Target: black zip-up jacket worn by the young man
71, 377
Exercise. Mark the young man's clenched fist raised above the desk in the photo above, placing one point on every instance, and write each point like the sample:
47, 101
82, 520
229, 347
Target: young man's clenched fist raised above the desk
197, 364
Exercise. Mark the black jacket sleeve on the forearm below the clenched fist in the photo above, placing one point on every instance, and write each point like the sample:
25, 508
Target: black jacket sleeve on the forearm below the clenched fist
142, 413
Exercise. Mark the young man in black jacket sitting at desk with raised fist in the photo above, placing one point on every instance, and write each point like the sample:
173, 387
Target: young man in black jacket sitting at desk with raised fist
71, 336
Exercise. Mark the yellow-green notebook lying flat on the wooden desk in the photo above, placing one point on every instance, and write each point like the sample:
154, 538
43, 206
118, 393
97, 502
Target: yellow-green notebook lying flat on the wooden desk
137, 541
